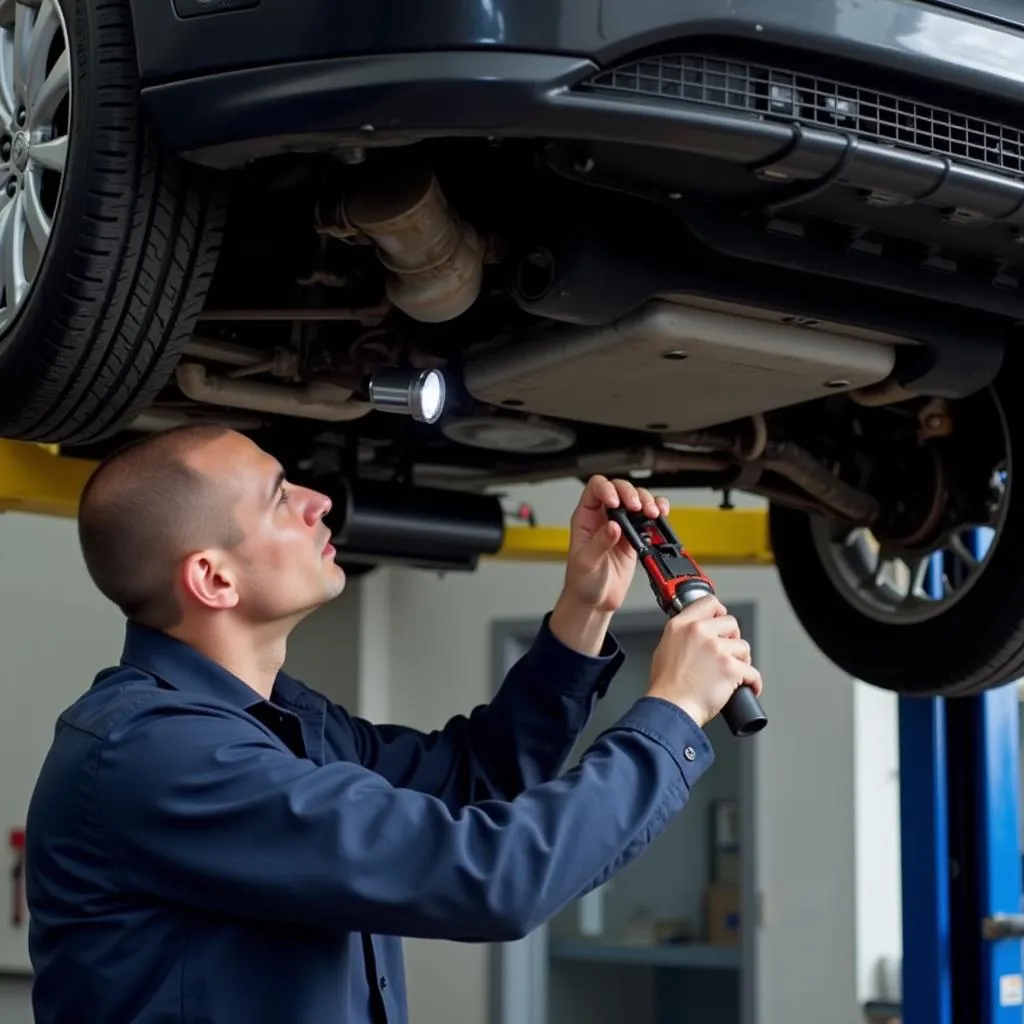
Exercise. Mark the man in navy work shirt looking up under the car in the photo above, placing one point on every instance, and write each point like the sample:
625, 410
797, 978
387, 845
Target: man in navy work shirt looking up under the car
210, 840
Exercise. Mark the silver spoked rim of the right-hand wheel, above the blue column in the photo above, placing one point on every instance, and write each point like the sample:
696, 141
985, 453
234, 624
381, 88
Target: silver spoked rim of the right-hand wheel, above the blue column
900, 587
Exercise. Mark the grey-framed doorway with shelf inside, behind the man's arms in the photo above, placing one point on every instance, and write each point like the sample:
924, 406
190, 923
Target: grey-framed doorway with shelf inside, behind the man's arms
666, 941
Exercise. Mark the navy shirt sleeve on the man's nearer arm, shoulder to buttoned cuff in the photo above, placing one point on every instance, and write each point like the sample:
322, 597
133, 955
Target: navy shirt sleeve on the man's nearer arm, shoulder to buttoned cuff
205, 810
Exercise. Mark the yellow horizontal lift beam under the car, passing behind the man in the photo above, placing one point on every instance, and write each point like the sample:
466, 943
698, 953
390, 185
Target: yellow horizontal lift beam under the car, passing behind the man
36, 479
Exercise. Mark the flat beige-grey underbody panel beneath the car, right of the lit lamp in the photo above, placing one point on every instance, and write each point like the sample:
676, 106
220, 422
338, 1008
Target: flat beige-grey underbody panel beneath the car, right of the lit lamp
672, 368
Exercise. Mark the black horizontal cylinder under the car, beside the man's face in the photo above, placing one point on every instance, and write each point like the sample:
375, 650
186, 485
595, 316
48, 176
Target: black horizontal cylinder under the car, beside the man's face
443, 530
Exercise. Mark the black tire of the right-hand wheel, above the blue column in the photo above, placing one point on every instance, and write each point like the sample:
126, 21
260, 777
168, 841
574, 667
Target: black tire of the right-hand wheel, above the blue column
975, 645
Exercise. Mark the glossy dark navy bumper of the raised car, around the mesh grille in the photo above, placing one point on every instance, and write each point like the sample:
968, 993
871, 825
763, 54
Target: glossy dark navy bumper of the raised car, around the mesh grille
230, 84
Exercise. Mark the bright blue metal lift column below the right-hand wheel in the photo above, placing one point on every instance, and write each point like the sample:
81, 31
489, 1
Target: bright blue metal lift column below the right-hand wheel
962, 875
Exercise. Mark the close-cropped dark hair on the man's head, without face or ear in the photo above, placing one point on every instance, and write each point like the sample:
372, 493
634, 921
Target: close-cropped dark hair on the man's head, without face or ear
144, 510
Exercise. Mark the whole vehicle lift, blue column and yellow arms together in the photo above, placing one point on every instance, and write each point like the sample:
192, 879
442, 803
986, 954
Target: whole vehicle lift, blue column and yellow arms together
960, 783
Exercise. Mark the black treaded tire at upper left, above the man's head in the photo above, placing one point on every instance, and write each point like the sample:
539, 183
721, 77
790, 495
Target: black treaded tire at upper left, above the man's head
133, 246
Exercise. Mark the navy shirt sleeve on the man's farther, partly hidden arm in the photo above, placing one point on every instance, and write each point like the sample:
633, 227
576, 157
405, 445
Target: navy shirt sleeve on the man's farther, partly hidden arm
522, 739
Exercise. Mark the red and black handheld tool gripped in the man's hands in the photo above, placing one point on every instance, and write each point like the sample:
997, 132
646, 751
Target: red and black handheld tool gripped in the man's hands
678, 582
